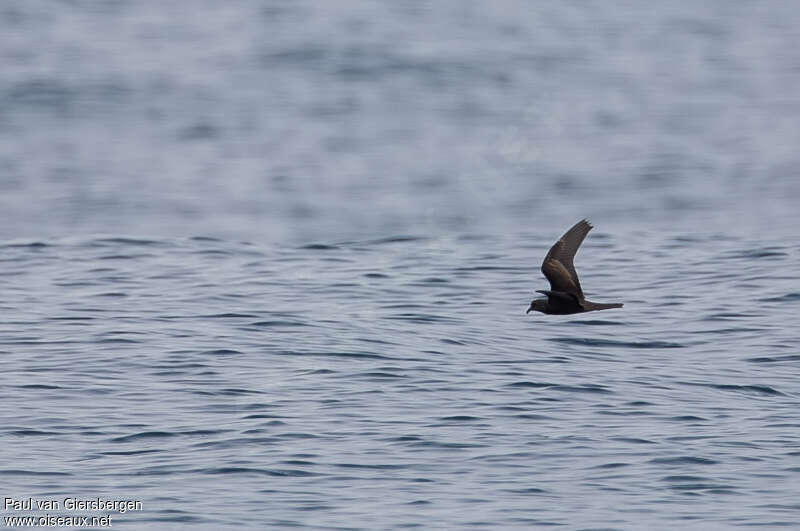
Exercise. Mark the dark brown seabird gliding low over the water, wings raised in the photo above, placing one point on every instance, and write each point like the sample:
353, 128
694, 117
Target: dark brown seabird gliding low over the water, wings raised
565, 295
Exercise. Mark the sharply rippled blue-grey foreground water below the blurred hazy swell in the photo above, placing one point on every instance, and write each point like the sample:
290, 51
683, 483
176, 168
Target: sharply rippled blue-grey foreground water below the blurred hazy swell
398, 382
